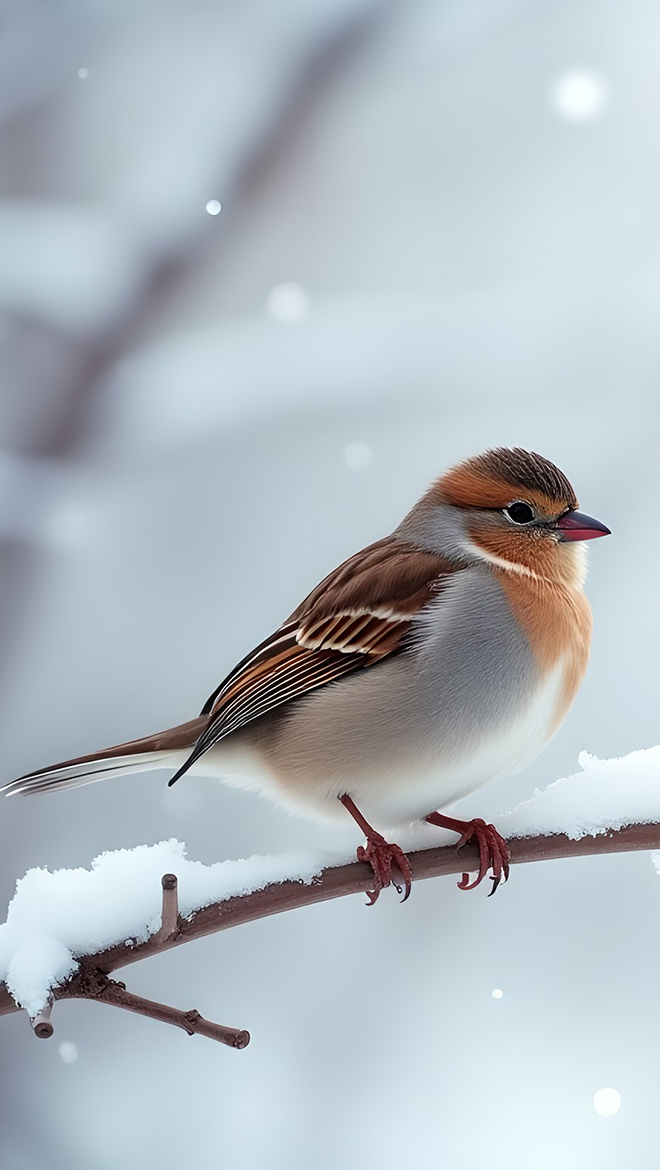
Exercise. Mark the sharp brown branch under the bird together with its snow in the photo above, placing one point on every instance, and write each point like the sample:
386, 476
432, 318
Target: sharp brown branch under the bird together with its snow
68, 931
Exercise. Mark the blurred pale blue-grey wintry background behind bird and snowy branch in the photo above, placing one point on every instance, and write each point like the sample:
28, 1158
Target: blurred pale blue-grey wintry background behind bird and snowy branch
265, 271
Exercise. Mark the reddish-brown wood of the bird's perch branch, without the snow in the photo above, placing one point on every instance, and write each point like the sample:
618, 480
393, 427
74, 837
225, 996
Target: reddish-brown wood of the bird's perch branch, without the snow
92, 980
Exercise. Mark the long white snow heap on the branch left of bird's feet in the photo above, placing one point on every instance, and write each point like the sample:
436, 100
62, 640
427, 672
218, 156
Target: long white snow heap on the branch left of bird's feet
57, 917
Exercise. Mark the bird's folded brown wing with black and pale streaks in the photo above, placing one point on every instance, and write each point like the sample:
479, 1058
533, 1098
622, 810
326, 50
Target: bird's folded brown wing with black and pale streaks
357, 616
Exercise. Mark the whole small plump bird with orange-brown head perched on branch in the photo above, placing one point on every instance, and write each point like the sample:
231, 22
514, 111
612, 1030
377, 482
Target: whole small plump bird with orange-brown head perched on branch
436, 660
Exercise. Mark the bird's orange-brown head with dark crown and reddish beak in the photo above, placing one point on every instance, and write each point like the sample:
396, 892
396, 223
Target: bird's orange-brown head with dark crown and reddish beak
511, 508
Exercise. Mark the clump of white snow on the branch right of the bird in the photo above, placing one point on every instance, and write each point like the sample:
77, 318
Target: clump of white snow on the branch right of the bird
608, 794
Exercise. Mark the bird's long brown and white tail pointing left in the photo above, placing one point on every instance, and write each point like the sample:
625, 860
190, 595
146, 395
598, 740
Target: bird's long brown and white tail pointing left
159, 751
